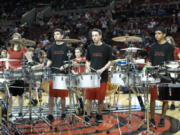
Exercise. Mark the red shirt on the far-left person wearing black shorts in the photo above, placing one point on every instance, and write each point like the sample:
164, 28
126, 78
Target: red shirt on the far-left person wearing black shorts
16, 55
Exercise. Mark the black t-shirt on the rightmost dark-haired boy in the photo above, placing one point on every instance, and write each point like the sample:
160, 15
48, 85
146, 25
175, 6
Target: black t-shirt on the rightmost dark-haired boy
159, 54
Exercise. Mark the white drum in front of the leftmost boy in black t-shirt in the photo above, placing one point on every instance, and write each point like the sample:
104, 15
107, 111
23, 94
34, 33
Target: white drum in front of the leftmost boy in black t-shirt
62, 81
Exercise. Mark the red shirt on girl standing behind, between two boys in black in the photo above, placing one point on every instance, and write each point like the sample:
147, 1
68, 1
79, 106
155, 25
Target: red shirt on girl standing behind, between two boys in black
81, 68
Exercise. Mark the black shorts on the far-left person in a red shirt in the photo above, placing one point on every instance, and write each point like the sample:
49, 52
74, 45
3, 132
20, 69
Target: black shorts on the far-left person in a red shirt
17, 88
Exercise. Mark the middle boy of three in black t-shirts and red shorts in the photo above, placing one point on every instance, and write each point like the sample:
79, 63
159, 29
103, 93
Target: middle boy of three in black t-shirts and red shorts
99, 58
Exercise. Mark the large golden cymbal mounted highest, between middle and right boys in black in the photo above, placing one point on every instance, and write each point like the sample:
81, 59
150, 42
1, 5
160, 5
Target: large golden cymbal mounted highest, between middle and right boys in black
127, 39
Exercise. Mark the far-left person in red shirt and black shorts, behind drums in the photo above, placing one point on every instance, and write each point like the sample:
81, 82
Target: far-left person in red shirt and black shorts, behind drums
16, 51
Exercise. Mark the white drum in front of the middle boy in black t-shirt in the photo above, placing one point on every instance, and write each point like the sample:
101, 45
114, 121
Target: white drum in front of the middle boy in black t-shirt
88, 80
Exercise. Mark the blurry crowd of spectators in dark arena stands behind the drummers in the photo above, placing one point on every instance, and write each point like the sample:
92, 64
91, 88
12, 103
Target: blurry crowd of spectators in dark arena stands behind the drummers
122, 18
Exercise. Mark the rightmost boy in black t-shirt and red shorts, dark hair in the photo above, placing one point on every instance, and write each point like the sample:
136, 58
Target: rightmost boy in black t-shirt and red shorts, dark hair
160, 52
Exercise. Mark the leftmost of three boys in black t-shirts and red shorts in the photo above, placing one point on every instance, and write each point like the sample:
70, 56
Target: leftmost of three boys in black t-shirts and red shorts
57, 54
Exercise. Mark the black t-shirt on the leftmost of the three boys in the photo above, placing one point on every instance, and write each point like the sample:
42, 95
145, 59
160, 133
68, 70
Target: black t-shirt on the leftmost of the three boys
57, 54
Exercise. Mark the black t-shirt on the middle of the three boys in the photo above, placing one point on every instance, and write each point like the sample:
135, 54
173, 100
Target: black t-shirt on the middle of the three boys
99, 57
